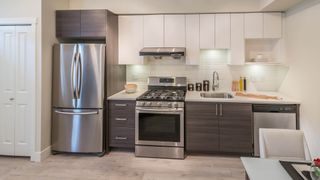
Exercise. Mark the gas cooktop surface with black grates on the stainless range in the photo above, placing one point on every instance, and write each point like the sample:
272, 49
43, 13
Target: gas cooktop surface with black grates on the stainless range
163, 95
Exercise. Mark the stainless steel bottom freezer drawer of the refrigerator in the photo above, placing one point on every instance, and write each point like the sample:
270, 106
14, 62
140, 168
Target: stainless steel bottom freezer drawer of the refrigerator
77, 131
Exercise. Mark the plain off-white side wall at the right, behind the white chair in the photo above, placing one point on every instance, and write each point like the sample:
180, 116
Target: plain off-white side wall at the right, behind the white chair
302, 81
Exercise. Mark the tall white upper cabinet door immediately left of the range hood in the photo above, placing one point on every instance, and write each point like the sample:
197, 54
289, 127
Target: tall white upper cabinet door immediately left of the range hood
130, 39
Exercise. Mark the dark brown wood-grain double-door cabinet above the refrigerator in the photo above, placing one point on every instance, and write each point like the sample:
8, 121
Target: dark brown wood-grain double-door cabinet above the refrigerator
81, 24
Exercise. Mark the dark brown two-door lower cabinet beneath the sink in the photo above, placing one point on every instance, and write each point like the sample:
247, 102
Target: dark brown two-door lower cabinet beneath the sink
219, 127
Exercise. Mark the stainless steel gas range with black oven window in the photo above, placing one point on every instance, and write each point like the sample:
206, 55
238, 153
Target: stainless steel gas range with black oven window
159, 118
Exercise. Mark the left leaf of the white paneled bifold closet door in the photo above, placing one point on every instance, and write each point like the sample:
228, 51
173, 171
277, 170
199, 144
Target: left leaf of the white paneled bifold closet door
7, 89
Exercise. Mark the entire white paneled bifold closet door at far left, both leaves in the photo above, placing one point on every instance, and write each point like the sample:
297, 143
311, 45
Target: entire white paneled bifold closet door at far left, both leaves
17, 85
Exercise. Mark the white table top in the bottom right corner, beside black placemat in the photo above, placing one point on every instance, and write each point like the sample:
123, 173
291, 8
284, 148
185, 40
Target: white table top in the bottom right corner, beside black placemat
264, 169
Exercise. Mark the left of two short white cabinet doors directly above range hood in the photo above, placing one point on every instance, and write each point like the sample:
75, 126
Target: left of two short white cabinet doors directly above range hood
153, 35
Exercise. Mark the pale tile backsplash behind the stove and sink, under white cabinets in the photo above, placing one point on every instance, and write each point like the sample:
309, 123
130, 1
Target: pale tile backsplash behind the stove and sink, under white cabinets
260, 77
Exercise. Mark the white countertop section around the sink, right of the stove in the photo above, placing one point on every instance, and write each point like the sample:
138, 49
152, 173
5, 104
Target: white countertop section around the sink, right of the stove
194, 96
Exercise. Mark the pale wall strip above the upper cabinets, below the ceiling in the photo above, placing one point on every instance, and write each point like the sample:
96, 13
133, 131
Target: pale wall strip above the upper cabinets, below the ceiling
167, 6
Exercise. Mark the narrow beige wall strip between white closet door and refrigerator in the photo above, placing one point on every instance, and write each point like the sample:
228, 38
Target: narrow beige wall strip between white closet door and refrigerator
47, 40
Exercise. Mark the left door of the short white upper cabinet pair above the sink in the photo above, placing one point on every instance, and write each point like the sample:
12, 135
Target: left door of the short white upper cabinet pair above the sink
207, 23
